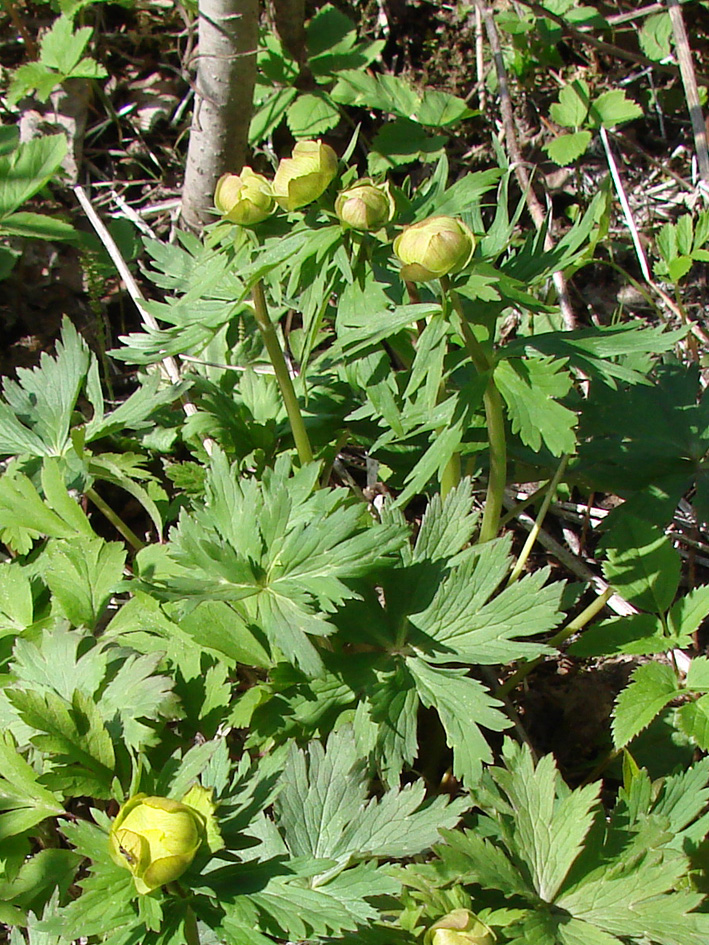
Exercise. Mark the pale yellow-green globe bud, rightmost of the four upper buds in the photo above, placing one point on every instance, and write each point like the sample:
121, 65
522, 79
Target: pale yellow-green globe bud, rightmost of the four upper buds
433, 248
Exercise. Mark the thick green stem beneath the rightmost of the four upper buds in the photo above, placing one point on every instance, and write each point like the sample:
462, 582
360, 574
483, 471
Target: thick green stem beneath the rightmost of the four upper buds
495, 418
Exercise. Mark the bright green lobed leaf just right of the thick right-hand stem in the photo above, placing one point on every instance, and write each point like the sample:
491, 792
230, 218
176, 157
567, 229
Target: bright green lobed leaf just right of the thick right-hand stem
531, 389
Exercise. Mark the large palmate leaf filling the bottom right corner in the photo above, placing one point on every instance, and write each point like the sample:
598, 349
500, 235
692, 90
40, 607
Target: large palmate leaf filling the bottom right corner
580, 877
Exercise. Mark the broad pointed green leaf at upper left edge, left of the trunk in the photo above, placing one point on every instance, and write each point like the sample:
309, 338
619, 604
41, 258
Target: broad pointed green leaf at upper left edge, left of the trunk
27, 169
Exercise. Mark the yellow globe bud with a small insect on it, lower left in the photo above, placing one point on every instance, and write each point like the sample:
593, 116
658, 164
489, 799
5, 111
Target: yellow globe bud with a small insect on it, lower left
155, 838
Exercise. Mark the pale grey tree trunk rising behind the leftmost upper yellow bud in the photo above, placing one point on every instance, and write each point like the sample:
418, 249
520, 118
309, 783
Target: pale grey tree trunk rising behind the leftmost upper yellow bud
224, 89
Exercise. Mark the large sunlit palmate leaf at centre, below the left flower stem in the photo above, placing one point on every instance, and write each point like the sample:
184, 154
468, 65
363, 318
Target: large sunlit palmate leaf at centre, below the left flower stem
282, 548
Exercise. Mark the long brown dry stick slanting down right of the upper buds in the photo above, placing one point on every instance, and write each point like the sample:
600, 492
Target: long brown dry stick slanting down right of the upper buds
536, 210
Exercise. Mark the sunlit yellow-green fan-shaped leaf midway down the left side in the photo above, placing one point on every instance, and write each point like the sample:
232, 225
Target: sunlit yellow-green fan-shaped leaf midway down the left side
82, 575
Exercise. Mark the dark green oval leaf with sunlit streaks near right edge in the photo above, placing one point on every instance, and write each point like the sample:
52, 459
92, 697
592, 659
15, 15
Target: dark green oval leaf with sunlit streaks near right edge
642, 564
